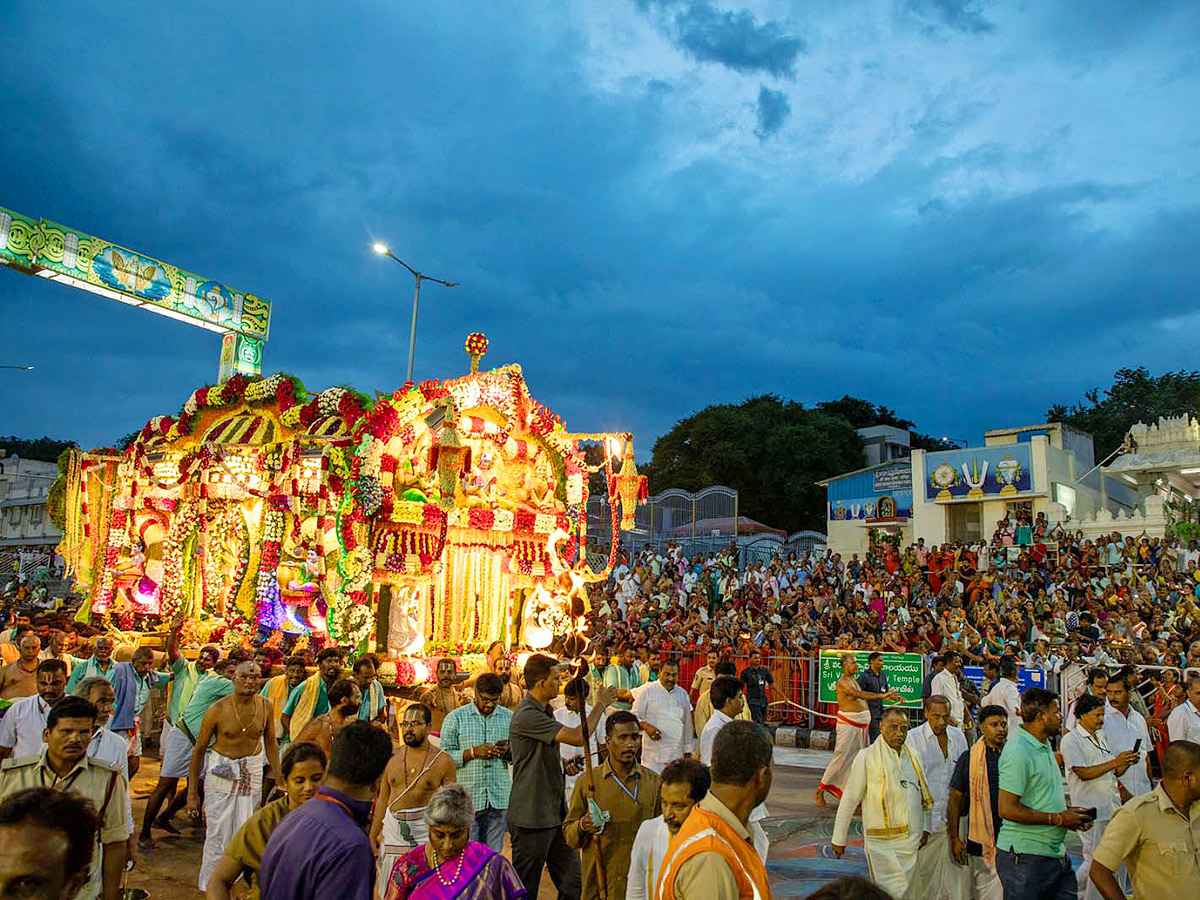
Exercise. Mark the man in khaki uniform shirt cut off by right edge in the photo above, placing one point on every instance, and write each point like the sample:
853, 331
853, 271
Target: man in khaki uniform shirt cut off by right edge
1157, 835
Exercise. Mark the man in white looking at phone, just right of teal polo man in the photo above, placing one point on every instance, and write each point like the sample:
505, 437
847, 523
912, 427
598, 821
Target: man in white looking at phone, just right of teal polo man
1093, 773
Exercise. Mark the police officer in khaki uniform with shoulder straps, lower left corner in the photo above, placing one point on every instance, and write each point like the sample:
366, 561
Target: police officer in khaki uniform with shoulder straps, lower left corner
64, 766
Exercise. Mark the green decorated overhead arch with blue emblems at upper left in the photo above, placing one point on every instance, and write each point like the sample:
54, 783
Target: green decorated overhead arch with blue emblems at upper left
39, 247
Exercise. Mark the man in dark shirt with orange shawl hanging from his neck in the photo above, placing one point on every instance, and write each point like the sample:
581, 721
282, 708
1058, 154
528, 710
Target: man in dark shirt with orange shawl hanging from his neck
975, 793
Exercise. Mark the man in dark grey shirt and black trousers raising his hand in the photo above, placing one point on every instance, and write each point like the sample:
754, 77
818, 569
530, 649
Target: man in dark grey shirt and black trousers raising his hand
538, 805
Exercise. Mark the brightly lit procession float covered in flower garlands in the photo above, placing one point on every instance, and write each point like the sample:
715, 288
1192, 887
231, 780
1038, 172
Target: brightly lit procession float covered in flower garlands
439, 519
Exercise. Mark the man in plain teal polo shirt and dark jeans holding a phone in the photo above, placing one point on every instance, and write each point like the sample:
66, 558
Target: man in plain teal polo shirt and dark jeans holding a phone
1031, 860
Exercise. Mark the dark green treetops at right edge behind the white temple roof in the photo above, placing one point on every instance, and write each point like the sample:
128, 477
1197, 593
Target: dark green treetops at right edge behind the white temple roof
1136, 397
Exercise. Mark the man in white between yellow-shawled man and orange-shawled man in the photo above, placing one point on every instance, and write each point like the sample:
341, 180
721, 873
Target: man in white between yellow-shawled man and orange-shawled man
939, 746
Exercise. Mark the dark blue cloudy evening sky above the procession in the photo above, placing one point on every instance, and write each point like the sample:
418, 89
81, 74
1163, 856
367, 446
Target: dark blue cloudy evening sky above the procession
962, 209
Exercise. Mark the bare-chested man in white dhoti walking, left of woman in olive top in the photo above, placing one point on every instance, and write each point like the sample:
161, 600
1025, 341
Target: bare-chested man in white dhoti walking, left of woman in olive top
244, 727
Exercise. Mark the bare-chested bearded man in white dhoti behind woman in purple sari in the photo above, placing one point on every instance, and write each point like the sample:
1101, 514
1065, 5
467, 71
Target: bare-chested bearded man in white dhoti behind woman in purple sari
413, 775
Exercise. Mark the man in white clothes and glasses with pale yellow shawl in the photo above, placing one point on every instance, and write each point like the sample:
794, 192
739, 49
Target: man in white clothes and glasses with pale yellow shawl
887, 779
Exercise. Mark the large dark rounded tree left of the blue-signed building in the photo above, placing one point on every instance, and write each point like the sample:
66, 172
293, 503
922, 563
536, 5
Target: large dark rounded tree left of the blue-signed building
771, 451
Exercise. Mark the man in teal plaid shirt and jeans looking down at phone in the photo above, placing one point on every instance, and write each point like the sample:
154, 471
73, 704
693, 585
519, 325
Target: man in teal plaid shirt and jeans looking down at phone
477, 739
